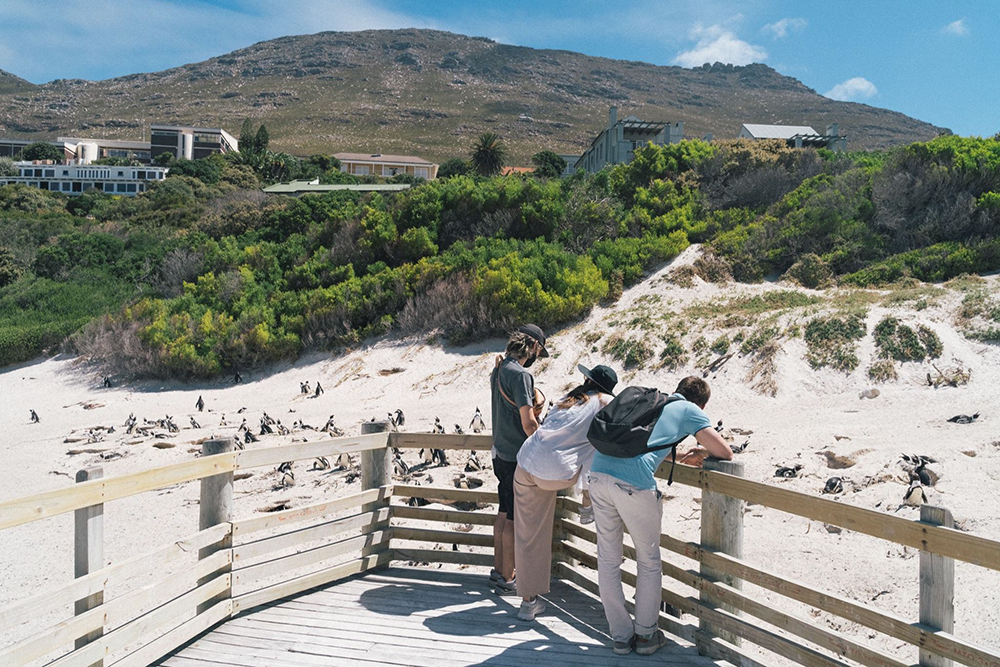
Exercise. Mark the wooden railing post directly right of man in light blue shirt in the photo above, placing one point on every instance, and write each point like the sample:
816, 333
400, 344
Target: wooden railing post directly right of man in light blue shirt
722, 530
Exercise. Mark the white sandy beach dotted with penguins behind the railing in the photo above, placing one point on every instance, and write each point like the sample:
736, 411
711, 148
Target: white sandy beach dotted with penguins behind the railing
816, 419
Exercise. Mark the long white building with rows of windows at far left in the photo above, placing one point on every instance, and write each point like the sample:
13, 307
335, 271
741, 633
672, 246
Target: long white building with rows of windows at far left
75, 179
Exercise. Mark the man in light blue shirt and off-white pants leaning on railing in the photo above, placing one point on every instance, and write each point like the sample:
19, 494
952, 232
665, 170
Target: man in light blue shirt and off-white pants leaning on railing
624, 495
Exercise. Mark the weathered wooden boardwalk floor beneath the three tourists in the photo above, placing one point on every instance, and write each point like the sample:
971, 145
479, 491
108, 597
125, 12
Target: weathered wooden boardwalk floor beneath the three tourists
419, 616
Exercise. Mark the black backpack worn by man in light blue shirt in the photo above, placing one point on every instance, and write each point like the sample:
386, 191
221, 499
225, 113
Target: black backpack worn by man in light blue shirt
622, 427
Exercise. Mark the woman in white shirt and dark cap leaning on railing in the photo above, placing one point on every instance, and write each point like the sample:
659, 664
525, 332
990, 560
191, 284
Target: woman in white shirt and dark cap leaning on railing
552, 459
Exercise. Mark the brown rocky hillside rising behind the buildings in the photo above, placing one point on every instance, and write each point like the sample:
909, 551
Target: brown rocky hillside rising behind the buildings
429, 92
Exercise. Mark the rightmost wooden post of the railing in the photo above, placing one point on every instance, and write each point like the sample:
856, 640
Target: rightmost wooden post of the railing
937, 586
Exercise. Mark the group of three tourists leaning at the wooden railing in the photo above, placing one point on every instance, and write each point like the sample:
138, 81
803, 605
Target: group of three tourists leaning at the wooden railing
534, 459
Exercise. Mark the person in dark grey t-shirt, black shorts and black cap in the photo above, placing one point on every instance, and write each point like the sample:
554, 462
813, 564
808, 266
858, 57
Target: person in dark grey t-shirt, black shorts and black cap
514, 419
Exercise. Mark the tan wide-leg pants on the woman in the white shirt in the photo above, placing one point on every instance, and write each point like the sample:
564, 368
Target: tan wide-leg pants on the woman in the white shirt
534, 513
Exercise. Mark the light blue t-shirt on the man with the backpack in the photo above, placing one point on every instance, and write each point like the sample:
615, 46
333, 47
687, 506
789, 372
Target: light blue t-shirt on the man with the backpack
677, 420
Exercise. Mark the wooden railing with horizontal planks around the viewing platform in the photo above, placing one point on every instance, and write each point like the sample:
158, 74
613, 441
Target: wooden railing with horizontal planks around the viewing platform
177, 591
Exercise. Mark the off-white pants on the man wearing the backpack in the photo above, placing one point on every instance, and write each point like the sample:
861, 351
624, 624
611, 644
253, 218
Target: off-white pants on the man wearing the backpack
618, 506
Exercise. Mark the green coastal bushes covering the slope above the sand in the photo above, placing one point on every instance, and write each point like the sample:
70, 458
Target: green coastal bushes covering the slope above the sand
204, 274
